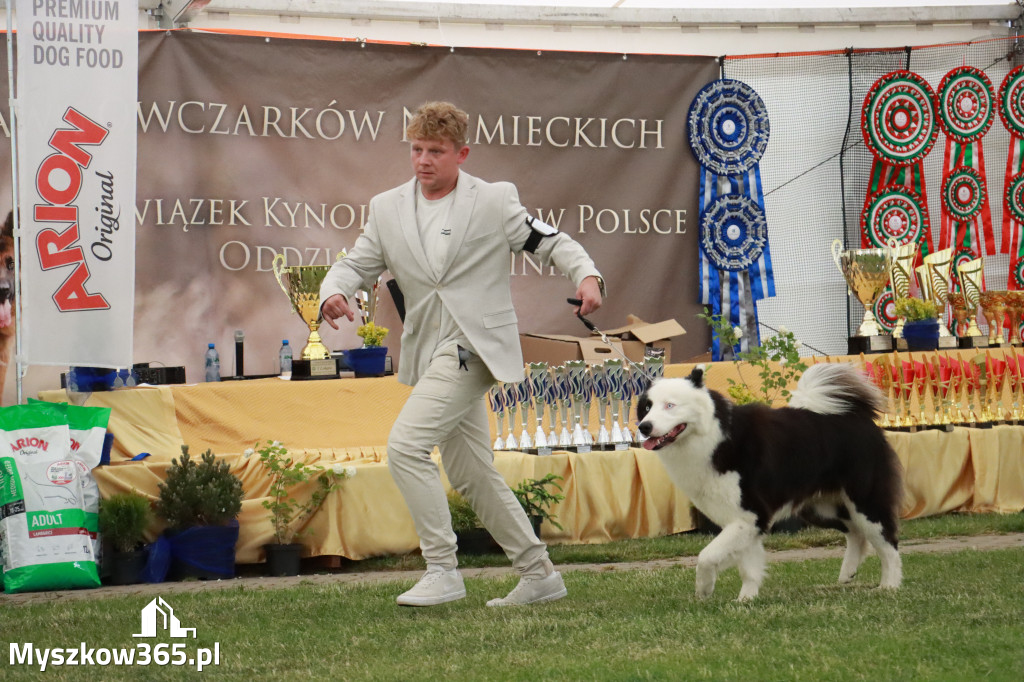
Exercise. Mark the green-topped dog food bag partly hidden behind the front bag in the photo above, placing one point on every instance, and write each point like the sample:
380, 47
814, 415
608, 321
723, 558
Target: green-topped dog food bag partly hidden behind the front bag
89, 428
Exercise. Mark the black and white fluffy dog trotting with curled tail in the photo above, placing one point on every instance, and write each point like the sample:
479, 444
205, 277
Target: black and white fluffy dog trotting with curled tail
745, 467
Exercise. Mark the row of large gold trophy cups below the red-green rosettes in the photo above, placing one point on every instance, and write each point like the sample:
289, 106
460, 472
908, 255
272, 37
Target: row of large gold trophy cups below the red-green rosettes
869, 272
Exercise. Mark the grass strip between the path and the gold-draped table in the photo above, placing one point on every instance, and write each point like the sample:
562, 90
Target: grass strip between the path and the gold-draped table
691, 544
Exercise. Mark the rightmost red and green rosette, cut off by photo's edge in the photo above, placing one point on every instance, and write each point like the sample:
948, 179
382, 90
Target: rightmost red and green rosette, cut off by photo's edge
1012, 113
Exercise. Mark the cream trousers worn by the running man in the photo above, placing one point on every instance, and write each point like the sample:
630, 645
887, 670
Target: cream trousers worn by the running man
447, 409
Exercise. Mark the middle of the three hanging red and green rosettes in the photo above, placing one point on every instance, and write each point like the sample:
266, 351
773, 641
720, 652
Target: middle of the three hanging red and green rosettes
966, 106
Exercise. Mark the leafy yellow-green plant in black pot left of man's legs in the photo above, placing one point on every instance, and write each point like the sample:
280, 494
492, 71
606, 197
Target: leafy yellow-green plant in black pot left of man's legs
287, 514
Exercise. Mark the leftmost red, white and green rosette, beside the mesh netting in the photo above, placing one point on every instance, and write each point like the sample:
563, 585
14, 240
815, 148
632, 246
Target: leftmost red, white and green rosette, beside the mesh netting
900, 126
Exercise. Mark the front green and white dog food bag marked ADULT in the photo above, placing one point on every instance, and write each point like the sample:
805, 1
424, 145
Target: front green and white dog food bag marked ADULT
47, 544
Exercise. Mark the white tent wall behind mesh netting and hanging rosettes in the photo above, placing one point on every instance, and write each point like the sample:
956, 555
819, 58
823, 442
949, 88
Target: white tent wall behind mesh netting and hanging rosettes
816, 173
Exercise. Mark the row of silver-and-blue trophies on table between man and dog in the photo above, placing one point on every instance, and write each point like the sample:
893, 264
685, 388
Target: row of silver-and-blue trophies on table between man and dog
567, 393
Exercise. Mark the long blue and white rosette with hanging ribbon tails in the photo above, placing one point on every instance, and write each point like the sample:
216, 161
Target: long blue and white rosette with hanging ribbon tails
729, 132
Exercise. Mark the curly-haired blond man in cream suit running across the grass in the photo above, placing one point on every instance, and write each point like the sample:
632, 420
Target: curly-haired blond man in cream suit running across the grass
446, 237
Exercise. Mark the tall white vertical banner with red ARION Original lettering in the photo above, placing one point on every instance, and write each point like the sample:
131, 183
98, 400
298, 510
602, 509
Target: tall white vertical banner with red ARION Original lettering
77, 84
